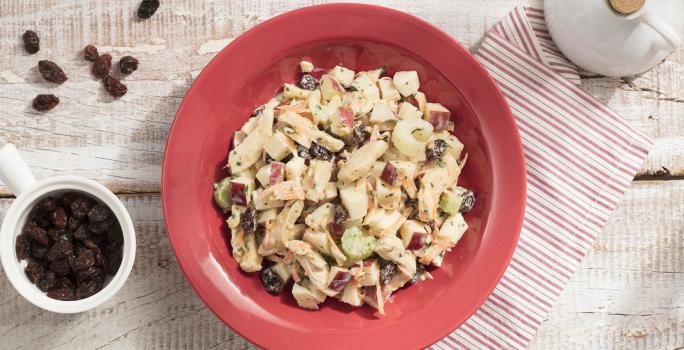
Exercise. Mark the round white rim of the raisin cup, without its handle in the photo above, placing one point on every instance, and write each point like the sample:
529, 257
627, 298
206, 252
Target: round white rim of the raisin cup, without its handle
11, 228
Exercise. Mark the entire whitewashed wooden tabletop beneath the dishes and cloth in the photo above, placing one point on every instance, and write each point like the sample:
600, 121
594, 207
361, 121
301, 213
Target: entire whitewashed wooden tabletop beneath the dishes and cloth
629, 292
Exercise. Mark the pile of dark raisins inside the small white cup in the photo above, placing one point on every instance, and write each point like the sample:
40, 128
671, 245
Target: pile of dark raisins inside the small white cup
72, 243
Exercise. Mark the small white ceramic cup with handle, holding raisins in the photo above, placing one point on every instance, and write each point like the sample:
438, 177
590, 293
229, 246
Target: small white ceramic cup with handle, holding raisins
15, 174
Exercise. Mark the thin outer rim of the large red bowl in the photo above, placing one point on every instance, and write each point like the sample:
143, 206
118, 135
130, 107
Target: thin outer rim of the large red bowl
517, 177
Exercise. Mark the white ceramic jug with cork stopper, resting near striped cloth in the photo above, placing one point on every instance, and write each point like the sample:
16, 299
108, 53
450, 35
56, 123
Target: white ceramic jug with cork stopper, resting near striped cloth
598, 38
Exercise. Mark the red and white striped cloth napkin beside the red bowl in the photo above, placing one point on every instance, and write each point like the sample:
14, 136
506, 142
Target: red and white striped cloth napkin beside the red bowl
580, 157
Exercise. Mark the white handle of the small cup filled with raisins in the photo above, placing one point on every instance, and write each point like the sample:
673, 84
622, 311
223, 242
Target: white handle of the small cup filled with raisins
14, 171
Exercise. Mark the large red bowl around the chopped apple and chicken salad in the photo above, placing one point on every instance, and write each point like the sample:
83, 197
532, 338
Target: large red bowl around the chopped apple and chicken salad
245, 75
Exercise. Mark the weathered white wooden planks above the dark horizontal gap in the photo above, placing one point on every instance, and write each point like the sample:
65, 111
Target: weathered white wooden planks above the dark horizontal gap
121, 143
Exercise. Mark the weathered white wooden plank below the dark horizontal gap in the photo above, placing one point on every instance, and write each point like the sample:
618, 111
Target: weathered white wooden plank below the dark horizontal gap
629, 292
